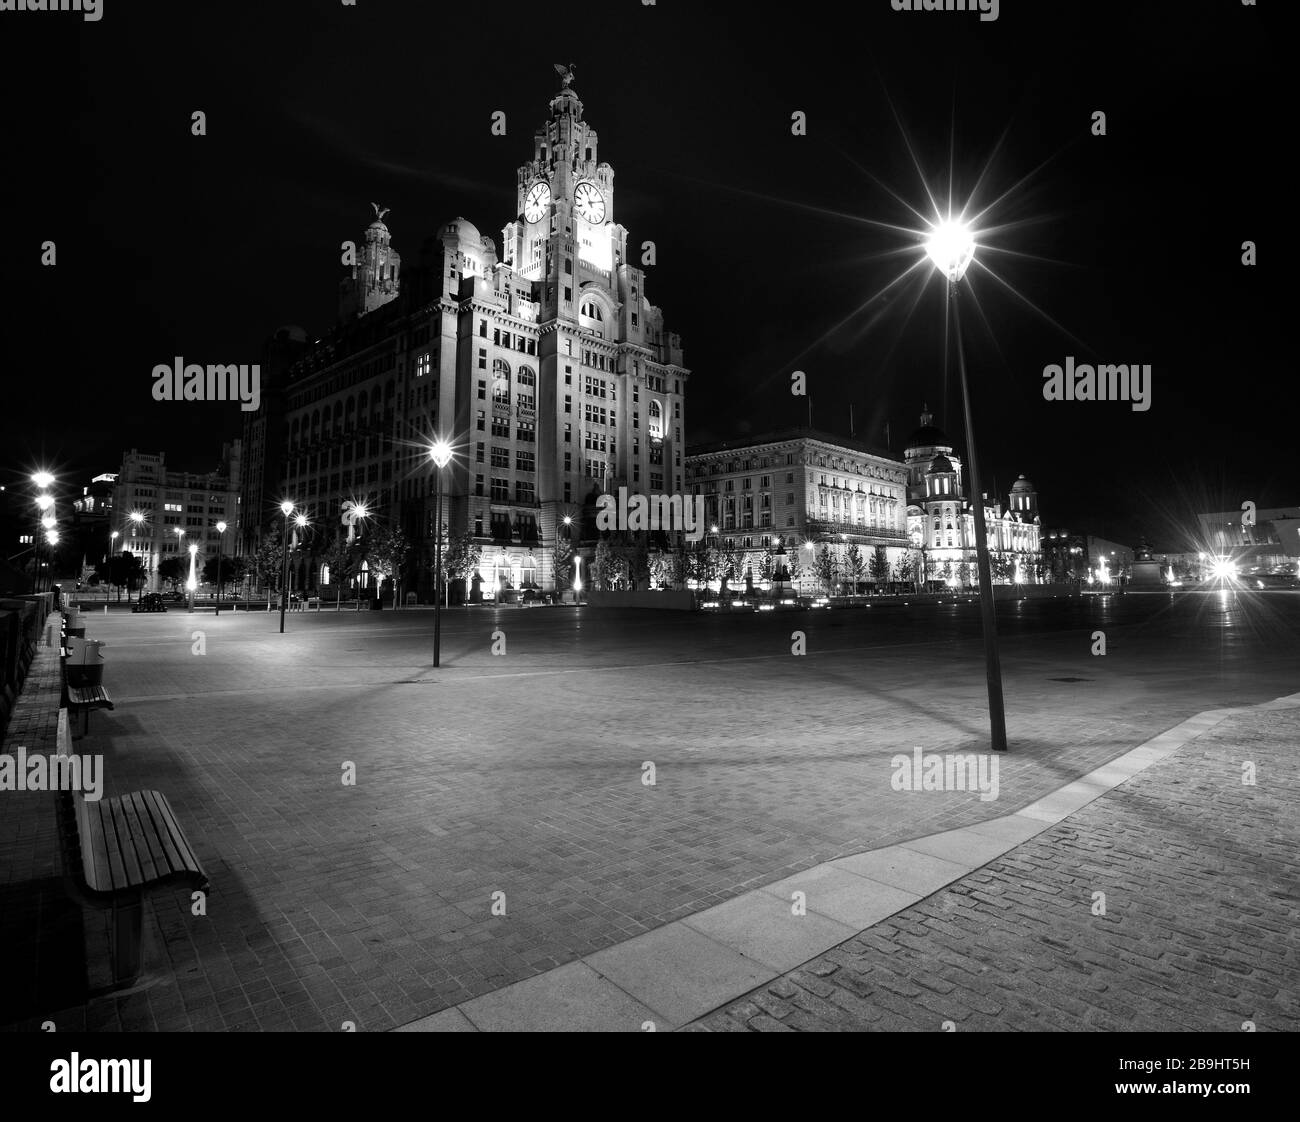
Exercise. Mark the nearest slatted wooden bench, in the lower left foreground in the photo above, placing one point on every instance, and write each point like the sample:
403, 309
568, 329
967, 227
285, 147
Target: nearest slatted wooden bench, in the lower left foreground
116, 851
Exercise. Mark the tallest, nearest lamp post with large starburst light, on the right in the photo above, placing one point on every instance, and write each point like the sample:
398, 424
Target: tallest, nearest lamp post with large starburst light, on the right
952, 248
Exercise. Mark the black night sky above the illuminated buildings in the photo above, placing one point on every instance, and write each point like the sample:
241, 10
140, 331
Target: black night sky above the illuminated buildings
172, 245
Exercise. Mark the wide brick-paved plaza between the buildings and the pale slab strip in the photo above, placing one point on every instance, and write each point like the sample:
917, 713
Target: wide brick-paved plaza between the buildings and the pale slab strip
523, 774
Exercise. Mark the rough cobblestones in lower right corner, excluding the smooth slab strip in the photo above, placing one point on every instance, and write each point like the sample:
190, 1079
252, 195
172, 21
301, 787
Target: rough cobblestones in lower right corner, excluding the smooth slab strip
1201, 926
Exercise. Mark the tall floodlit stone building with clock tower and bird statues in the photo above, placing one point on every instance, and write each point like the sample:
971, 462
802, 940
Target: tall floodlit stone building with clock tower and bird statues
544, 365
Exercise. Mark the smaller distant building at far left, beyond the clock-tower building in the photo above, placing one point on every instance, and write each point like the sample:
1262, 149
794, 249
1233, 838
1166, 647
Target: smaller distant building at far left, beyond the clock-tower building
176, 510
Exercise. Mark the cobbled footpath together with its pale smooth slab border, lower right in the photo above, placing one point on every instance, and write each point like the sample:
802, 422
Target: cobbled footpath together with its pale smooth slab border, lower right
1156, 893
